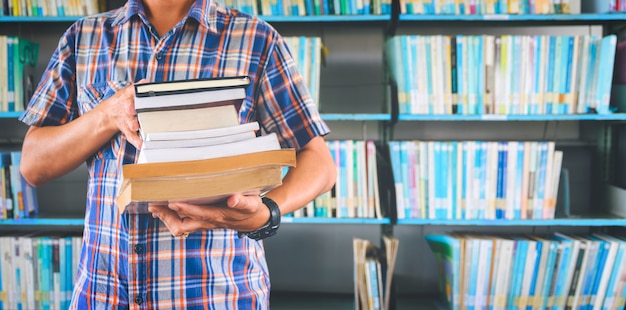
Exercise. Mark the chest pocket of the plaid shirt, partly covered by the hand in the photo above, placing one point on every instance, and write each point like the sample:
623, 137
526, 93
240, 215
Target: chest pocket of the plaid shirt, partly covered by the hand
91, 95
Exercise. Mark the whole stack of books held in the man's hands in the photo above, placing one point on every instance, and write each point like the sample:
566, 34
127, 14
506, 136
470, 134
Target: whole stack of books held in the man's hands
194, 148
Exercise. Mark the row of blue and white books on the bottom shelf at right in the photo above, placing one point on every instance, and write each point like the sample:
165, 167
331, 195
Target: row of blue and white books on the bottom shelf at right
559, 271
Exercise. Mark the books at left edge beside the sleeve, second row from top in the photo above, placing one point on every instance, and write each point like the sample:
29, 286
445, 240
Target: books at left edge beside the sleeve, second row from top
18, 61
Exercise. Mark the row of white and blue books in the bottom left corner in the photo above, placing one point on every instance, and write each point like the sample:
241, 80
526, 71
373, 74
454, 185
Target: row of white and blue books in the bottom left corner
38, 272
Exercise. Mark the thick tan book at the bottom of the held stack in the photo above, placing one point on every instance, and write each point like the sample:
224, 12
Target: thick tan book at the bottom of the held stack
203, 181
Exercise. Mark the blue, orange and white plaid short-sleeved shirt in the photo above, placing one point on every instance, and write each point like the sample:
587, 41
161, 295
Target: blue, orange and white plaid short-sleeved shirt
132, 261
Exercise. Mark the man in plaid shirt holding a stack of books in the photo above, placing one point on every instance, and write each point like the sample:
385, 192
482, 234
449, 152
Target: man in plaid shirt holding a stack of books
82, 111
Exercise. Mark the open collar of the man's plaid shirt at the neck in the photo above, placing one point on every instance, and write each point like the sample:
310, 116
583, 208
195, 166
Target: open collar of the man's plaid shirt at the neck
203, 11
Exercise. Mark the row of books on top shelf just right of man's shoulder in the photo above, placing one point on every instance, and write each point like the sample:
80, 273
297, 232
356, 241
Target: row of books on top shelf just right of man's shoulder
311, 7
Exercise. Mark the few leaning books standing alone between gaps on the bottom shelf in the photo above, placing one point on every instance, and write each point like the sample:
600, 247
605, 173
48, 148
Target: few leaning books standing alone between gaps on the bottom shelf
373, 272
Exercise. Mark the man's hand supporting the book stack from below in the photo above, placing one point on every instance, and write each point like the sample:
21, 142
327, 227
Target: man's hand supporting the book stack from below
239, 212
